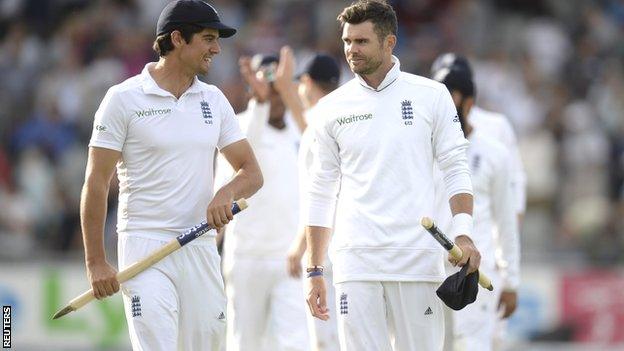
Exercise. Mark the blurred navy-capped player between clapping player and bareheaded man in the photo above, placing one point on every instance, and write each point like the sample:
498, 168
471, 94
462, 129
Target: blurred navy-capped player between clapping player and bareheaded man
320, 76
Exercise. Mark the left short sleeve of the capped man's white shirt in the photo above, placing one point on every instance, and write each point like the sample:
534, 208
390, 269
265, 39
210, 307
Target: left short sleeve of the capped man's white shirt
111, 123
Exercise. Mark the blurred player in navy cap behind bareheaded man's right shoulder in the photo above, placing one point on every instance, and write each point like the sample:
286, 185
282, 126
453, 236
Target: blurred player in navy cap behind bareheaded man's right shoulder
494, 207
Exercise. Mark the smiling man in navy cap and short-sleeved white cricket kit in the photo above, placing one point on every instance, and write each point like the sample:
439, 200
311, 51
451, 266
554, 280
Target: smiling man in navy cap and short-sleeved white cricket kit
160, 129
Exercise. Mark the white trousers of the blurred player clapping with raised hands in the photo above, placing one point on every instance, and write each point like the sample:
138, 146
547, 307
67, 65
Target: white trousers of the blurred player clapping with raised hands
266, 307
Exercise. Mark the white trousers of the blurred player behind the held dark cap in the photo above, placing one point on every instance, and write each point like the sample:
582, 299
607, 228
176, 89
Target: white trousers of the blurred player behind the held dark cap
474, 325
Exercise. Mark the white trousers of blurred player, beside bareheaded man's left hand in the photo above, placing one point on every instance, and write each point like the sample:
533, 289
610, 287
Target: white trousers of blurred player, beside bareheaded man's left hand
324, 334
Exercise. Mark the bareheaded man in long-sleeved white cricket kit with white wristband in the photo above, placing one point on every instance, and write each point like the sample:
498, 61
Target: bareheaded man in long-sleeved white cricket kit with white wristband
377, 142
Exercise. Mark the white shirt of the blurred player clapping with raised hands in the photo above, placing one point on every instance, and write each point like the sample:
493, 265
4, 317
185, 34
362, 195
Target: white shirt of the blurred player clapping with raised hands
267, 228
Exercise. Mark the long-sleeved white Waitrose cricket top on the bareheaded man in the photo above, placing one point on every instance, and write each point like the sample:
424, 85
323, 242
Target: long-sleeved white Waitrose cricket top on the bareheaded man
373, 161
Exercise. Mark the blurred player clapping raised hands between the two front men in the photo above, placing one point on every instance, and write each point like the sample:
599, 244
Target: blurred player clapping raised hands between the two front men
264, 302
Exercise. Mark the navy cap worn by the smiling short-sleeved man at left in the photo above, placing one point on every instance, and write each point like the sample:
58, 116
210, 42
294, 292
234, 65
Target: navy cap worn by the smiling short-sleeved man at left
194, 12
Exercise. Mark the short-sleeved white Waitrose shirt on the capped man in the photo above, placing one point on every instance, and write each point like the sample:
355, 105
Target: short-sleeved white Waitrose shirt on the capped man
167, 149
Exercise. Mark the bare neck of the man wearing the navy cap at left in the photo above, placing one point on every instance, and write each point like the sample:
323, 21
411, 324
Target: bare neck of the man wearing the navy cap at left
172, 76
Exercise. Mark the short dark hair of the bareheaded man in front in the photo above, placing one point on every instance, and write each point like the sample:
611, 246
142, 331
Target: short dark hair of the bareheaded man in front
377, 11
